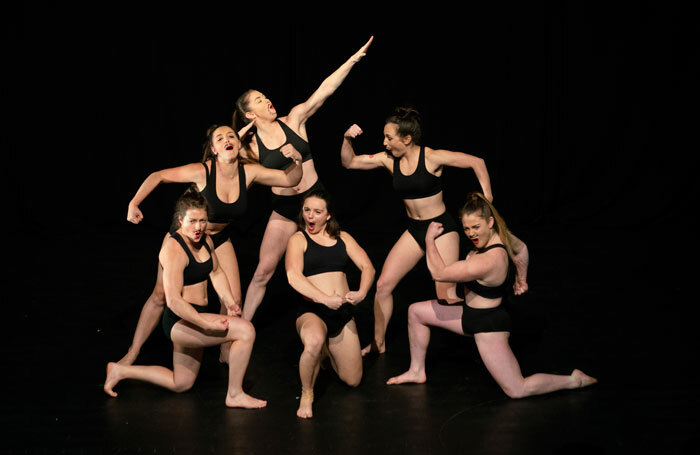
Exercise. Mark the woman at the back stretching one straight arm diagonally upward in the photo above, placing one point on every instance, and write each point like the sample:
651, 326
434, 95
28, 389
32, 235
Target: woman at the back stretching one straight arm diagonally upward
272, 132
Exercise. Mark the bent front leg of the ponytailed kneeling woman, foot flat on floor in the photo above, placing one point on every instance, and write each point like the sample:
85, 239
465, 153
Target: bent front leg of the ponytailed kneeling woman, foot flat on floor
421, 315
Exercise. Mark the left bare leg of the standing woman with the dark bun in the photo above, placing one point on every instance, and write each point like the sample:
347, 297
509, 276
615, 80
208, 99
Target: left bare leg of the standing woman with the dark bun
404, 255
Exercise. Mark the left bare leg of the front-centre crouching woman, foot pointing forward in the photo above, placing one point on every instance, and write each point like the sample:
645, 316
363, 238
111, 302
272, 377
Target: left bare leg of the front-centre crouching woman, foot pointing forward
312, 331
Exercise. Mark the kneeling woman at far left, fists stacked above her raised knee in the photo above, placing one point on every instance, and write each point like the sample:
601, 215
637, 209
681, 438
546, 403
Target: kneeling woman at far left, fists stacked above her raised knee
188, 259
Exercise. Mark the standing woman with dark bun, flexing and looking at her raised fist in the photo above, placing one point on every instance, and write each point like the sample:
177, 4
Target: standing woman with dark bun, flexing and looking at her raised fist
416, 171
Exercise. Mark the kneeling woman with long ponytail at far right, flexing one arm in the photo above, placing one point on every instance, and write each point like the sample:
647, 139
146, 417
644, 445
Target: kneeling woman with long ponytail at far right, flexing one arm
487, 277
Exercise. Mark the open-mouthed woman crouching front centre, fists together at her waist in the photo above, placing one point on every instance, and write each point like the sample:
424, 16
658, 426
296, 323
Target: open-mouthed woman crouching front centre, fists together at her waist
316, 258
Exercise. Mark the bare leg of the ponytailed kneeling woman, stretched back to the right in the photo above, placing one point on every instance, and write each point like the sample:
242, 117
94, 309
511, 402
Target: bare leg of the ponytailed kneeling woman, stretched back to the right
503, 366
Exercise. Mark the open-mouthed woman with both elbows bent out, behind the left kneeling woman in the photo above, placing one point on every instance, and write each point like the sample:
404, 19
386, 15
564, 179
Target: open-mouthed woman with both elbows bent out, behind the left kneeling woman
223, 179
